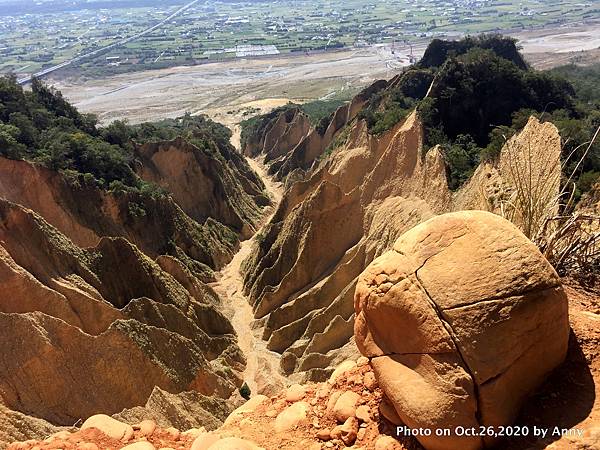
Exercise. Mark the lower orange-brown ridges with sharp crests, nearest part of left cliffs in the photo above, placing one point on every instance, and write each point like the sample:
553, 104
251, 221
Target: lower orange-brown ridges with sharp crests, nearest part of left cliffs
97, 329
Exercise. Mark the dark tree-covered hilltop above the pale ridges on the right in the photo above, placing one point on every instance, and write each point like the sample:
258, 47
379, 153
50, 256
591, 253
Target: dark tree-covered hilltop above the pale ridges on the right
481, 92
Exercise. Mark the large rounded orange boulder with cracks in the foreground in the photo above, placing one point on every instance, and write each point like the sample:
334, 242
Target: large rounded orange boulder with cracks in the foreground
462, 319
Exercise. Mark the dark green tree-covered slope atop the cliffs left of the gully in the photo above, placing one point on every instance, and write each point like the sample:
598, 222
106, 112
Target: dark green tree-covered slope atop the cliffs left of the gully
41, 126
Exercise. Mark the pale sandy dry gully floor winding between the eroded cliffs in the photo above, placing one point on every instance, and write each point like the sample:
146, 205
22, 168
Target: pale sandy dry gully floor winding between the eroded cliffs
262, 369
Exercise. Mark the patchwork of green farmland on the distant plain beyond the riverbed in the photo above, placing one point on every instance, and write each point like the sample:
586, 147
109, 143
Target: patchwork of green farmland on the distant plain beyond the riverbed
33, 42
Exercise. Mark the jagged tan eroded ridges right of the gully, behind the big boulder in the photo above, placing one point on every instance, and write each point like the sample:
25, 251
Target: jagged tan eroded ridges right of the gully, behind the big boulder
350, 209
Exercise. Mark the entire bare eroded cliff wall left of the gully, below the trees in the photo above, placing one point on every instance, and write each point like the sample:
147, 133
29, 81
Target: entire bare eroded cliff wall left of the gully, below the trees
104, 304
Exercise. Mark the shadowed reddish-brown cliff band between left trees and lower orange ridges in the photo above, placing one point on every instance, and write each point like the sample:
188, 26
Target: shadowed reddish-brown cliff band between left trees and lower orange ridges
85, 213
